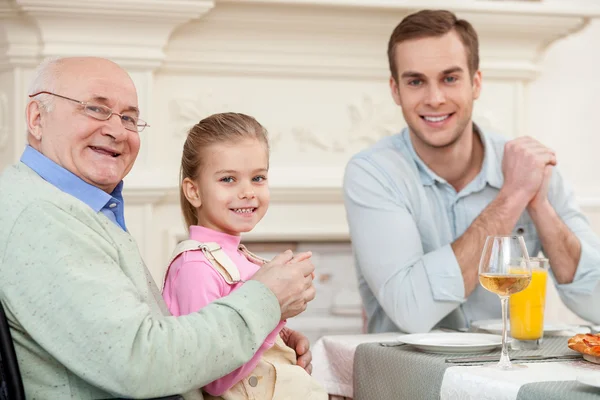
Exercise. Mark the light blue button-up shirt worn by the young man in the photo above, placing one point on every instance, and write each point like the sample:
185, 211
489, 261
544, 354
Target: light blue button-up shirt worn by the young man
403, 218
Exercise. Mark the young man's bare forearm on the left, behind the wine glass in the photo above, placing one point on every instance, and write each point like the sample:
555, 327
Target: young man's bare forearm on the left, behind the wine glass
498, 218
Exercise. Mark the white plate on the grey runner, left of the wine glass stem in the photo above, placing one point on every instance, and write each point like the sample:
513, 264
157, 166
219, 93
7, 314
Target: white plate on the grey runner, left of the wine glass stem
453, 342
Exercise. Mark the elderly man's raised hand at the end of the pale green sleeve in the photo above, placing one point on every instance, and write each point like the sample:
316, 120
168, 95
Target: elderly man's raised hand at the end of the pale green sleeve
290, 283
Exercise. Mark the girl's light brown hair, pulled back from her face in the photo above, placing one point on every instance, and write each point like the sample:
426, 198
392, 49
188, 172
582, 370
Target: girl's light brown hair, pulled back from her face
217, 128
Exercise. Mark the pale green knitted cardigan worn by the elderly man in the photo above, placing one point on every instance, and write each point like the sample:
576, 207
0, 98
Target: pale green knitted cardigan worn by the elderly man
84, 320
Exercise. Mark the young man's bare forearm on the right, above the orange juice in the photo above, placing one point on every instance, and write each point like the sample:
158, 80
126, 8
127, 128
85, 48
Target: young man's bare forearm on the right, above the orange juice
560, 244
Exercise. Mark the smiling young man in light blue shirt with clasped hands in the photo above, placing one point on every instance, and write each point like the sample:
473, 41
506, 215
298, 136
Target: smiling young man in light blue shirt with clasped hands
420, 204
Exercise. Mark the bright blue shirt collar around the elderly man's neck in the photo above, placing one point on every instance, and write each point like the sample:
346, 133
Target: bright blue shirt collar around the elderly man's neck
110, 205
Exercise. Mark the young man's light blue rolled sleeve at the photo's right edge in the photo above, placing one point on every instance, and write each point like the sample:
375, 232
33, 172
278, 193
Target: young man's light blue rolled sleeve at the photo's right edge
584, 292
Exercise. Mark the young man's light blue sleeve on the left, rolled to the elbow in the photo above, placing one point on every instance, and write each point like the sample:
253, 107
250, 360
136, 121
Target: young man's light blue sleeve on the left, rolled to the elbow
416, 290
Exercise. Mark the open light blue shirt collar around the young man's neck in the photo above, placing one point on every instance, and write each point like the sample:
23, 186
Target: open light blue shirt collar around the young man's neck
491, 172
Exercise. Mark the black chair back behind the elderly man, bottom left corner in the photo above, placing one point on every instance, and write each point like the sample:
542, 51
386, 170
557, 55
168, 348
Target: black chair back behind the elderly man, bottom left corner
11, 385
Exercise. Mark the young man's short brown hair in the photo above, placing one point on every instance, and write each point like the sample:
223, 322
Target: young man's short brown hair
433, 23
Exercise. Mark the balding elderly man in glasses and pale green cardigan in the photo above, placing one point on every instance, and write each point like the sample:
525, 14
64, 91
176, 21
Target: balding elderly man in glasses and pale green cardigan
85, 316
